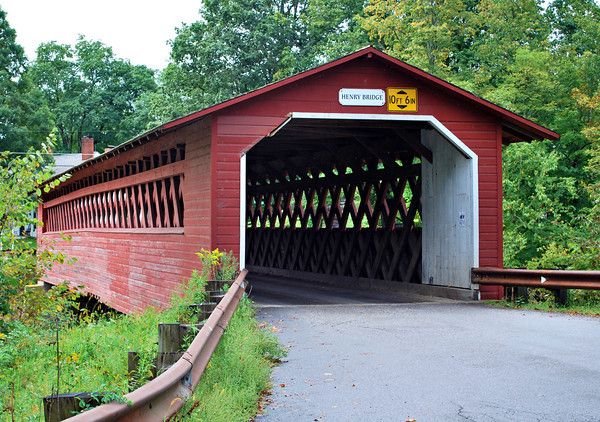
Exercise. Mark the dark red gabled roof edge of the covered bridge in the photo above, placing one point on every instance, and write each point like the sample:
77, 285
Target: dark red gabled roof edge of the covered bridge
517, 127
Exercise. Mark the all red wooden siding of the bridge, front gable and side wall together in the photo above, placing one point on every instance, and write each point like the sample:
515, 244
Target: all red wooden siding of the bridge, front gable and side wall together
133, 270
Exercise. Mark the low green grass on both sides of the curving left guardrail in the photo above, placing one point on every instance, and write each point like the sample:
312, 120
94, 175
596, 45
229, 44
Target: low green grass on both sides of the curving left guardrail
93, 358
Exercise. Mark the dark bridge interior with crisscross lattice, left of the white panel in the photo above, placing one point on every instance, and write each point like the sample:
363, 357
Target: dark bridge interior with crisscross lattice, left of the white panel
337, 199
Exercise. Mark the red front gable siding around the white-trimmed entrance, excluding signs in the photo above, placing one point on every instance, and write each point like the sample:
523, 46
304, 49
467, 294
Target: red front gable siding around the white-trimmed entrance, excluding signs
241, 126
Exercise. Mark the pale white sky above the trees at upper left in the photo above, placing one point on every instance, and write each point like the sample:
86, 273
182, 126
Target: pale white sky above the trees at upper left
137, 30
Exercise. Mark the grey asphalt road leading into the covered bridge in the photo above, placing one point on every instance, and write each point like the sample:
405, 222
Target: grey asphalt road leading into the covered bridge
430, 361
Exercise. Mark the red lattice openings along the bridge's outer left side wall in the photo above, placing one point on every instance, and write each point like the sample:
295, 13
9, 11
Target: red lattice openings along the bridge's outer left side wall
142, 194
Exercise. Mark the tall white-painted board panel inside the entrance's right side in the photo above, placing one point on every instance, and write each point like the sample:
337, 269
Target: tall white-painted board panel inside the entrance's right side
448, 214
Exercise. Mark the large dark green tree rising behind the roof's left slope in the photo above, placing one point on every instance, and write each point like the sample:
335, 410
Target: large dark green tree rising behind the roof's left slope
237, 46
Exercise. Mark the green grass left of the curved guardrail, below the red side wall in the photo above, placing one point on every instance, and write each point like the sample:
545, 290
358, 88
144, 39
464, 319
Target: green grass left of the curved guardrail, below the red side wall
93, 357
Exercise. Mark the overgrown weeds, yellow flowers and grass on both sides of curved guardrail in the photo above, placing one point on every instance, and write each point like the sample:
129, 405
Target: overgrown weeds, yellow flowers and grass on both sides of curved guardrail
63, 348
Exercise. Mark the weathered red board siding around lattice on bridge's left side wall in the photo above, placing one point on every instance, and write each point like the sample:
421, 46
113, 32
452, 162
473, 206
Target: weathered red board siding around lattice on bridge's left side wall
130, 270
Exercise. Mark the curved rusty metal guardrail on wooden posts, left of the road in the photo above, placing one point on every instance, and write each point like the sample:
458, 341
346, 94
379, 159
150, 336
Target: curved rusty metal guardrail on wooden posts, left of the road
162, 397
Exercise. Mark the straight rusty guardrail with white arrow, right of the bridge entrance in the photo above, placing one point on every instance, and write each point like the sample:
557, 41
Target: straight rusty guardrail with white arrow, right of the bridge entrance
549, 279
